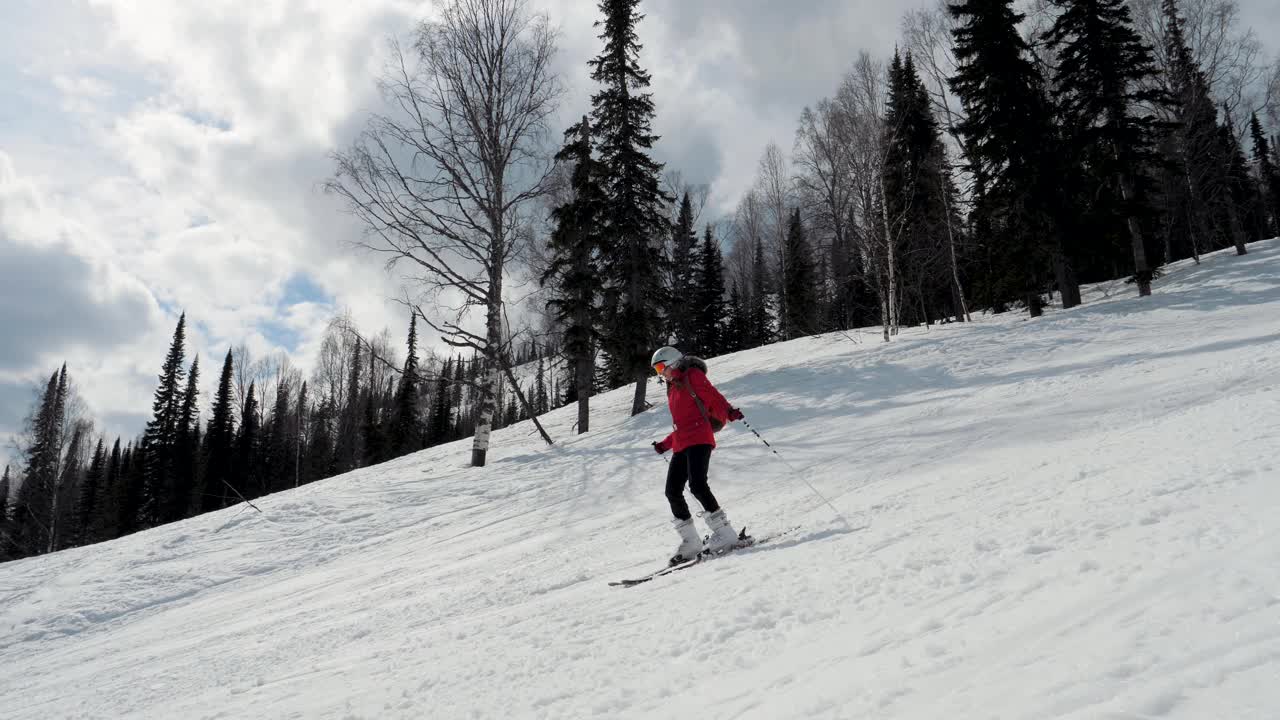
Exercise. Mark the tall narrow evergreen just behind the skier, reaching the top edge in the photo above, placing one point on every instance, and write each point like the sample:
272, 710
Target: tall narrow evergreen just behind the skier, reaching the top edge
634, 222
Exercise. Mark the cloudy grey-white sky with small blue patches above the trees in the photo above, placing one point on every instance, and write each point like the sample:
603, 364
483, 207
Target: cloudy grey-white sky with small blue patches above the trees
161, 157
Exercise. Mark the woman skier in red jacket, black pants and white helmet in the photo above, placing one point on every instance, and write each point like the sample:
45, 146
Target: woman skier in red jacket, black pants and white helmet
697, 411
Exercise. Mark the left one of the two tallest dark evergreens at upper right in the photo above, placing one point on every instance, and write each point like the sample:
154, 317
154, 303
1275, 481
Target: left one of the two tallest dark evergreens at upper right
1009, 143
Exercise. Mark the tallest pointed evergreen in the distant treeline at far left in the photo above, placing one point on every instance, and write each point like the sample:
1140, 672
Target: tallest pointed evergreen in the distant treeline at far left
161, 440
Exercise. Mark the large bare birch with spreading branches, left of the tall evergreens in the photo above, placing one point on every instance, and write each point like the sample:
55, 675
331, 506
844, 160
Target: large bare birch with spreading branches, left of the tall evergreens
442, 184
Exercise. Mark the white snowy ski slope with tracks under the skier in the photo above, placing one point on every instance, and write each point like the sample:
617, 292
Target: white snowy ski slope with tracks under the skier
1072, 517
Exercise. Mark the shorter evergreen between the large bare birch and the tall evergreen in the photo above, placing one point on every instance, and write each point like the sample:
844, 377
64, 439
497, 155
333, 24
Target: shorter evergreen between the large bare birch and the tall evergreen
577, 245
